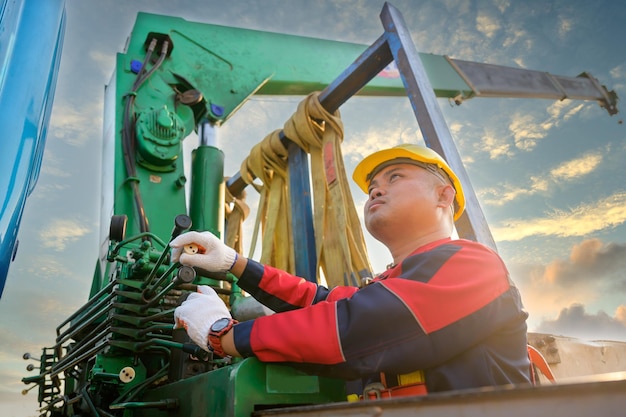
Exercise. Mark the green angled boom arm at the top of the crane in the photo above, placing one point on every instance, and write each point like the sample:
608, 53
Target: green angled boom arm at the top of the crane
228, 64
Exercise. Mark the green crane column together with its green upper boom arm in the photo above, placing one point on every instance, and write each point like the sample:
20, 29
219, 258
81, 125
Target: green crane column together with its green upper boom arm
209, 72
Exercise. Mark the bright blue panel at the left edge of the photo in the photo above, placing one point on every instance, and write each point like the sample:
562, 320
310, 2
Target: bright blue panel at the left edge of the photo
30, 51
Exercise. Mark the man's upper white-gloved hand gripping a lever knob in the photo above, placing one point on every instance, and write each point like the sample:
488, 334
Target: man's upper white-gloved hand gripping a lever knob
217, 257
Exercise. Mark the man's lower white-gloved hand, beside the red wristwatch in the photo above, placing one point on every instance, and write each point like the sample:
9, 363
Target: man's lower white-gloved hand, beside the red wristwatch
198, 313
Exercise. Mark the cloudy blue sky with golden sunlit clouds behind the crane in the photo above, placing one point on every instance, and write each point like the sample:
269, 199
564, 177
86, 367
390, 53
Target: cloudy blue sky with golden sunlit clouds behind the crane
548, 174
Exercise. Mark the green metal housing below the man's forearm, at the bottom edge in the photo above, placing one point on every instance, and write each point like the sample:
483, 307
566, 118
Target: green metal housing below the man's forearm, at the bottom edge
239, 389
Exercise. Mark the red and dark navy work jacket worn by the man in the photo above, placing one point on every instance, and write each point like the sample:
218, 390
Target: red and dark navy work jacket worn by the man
448, 309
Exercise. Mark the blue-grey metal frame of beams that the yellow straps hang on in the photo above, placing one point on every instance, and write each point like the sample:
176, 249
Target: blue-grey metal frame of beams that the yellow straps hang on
394, 44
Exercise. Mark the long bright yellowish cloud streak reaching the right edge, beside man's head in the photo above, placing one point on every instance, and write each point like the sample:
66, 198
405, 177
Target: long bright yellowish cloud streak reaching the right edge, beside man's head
578, 221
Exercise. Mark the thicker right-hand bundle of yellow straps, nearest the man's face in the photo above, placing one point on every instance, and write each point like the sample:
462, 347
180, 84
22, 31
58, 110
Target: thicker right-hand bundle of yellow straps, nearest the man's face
340, 245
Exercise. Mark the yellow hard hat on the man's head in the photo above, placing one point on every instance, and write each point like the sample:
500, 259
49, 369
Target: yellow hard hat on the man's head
405, 154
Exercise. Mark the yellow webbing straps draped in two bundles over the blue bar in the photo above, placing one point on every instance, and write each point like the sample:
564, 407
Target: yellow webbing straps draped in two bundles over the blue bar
340, 246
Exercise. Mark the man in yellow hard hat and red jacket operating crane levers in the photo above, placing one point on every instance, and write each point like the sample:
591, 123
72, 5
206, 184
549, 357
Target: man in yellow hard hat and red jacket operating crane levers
445, 307
